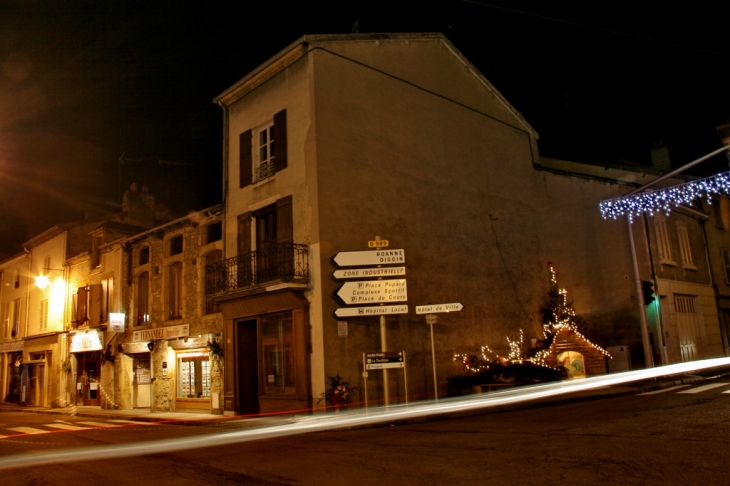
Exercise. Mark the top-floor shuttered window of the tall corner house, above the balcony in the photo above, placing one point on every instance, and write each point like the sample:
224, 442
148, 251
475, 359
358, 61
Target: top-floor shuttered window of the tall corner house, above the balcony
263, 151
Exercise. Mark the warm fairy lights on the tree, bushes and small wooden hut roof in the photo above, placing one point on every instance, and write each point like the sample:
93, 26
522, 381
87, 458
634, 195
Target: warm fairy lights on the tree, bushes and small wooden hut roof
562, 319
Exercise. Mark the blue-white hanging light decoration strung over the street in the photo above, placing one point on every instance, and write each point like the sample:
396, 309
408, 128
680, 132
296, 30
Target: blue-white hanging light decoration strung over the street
665, 199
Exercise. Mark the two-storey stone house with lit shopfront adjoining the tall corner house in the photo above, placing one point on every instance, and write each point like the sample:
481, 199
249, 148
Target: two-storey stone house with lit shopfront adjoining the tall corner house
168, 357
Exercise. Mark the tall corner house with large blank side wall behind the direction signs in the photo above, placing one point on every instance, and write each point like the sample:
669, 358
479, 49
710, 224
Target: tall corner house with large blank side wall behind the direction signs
339, 142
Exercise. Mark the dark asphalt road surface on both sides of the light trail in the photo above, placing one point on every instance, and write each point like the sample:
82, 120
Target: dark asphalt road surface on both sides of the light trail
663, 438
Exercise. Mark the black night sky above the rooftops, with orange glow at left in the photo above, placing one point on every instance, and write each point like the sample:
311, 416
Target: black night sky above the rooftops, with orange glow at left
82, 83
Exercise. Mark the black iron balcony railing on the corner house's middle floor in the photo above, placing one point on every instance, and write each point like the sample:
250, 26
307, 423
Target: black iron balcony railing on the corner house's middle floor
278, 262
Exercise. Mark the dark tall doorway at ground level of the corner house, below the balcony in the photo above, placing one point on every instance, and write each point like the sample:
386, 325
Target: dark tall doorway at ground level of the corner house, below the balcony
247, 382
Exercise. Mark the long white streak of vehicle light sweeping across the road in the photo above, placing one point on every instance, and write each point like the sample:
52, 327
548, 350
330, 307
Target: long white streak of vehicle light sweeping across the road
358, 418
